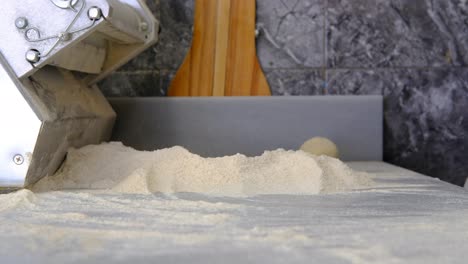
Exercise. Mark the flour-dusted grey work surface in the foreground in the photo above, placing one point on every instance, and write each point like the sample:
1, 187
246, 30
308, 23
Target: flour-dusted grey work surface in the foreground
404, 218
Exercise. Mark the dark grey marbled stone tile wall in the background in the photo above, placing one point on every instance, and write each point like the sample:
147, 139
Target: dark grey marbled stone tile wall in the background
413, 52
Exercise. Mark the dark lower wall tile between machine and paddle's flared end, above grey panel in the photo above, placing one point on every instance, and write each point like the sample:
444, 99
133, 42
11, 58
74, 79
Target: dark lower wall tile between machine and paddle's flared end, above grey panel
132, 84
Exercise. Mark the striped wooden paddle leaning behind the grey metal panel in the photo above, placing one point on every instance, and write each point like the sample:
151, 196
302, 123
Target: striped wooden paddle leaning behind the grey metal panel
223, 59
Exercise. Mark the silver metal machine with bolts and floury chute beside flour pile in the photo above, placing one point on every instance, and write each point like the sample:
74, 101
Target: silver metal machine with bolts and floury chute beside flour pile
53, 52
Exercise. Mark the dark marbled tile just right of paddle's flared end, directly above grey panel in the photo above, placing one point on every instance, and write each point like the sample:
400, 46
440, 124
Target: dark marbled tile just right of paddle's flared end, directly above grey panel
295, 81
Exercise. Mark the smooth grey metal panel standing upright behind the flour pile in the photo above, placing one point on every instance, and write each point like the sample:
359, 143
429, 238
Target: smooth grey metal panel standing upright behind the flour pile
216, 126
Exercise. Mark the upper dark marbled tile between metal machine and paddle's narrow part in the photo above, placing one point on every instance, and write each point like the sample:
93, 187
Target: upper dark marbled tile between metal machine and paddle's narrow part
176, 33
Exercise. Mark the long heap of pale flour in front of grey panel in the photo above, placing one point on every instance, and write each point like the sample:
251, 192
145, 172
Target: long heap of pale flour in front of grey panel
125, 170
